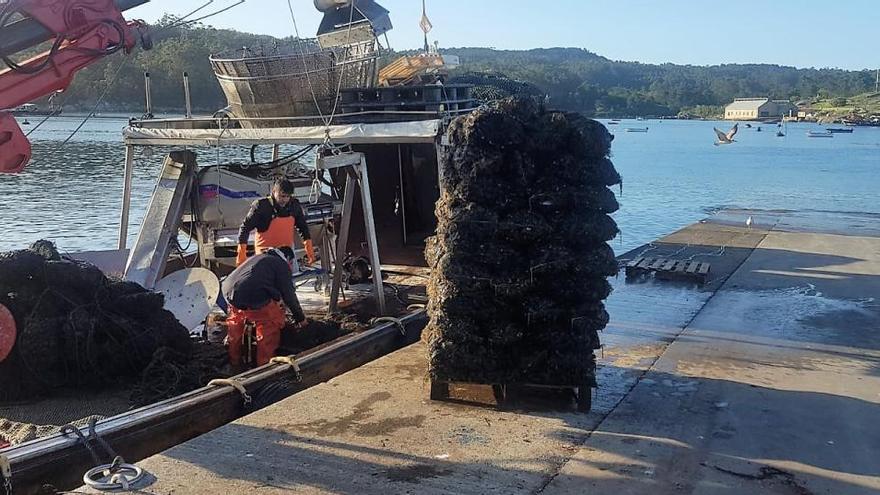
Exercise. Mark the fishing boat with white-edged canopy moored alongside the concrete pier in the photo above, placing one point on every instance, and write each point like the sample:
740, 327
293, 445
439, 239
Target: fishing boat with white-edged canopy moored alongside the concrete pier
367, 155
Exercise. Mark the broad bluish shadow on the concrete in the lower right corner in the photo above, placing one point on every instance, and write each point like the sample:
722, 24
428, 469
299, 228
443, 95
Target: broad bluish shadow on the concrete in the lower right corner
674, 432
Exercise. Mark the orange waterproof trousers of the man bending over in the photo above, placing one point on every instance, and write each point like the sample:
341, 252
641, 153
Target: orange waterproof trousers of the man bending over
269, 320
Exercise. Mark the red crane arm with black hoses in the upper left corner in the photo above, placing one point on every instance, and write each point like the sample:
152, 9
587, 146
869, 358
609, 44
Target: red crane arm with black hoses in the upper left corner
81, 31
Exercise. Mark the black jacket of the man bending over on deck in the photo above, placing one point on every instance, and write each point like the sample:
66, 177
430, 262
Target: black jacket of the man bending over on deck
260, 280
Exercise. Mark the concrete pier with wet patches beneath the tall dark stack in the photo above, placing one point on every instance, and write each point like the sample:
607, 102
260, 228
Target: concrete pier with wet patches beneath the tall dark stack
764, 381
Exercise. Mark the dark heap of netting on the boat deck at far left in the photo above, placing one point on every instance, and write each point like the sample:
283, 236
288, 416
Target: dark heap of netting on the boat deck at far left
77, 328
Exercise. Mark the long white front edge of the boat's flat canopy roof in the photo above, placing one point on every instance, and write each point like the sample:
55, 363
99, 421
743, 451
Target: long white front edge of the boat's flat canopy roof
423, 131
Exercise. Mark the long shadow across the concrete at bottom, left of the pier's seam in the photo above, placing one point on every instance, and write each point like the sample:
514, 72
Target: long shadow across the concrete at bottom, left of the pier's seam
287, 461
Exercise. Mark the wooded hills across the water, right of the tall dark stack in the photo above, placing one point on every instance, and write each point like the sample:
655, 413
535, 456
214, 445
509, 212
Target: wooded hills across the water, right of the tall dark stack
579, 80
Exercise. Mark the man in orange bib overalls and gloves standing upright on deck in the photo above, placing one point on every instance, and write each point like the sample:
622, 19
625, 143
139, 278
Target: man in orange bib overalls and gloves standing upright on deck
275, 218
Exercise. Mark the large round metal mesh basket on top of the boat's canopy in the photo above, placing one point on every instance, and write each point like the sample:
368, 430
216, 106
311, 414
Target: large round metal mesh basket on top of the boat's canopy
295, 79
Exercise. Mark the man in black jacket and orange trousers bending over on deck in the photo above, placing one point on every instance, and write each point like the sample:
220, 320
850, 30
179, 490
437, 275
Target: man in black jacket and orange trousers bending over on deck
254, 292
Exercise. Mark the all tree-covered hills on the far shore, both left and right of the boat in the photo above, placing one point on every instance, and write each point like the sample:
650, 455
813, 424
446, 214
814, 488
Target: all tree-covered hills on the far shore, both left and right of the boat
574, 79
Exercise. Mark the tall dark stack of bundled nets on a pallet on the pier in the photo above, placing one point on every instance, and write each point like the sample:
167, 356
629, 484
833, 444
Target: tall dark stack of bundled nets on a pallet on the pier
520, 261
